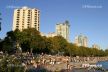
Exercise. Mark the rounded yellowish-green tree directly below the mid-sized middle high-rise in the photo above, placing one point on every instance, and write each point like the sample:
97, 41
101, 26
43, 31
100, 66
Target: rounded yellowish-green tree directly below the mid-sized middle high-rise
59, 44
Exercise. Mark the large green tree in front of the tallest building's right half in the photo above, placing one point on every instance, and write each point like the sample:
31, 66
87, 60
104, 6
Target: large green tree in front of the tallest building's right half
32, 38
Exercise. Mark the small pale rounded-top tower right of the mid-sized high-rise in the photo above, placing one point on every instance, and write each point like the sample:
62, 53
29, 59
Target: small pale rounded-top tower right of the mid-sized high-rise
81, 40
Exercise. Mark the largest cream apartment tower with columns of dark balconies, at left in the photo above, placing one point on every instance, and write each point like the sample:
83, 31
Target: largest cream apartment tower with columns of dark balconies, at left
26, 18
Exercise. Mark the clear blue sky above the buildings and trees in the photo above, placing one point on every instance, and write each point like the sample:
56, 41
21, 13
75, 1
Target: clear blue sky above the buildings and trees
89, 17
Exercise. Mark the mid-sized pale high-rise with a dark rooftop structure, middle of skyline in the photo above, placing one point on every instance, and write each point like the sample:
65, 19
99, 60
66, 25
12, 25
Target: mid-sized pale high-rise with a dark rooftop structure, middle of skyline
62, 29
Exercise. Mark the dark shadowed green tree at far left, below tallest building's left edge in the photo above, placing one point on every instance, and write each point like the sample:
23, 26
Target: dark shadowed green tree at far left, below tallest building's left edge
10, 40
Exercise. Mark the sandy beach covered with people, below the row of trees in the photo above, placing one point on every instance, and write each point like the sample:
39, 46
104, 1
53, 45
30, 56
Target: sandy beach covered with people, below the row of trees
53, 63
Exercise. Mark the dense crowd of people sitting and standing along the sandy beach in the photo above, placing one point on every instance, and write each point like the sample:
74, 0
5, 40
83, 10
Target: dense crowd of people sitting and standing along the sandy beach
52, 62
